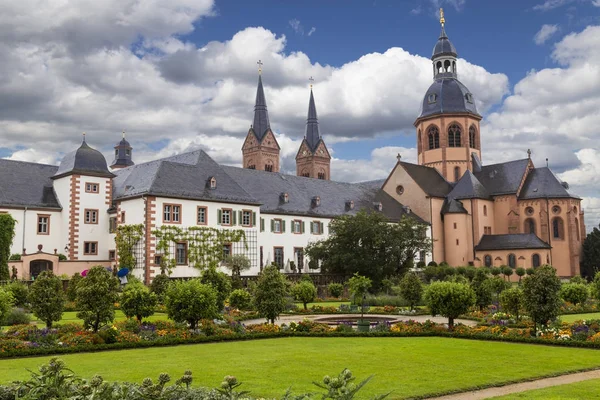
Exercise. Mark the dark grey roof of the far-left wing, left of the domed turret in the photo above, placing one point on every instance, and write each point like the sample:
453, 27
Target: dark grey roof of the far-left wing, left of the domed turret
24, 184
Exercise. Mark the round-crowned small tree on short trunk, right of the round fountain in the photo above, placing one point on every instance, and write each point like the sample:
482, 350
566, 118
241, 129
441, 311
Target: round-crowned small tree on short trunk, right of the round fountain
449, 300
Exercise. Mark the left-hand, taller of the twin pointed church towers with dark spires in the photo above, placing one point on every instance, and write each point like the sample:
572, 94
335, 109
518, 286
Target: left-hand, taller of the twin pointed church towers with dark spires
260, 149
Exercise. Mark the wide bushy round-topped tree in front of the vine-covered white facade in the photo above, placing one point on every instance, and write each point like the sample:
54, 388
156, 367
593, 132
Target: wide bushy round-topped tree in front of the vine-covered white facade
190, 301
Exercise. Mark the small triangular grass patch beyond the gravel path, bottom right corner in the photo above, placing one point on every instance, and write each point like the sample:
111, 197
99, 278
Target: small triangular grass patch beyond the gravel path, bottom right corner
585, 390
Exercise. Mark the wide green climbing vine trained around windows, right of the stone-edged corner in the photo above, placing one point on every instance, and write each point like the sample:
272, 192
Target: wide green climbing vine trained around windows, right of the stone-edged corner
204, 244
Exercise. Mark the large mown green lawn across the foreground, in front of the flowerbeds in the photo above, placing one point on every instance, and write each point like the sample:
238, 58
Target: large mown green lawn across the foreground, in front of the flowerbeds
408, 366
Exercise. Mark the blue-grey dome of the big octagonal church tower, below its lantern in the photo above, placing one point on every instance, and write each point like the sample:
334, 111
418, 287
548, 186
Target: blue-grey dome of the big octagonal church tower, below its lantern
450, 97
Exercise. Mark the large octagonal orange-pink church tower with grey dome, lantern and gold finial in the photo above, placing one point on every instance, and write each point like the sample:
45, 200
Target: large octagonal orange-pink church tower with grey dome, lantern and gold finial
448, 125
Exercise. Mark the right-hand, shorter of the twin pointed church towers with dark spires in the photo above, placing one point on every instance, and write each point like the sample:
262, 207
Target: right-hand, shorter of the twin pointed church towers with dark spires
313, 159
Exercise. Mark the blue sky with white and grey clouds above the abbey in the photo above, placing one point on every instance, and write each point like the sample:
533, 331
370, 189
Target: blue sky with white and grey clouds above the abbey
178, 75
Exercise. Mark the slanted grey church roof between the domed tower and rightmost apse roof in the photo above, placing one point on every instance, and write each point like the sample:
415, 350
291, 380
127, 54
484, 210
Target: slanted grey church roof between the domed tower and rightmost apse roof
503, 178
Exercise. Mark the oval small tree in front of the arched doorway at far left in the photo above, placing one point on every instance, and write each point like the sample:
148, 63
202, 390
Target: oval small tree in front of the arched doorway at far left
47, 298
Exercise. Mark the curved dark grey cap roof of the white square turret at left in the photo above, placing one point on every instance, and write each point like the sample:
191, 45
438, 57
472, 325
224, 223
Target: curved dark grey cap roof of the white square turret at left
84, 161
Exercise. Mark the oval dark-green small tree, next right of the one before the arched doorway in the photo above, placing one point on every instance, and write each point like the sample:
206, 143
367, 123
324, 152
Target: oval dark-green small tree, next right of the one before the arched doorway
96, 297
